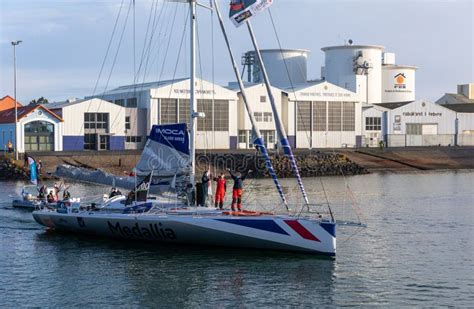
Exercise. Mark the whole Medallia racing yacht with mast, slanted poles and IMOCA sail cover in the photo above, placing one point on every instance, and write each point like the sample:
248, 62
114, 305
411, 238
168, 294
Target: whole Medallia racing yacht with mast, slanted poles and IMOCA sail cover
171, 149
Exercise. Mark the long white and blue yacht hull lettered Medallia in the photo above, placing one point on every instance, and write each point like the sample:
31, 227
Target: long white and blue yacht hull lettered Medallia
212, 228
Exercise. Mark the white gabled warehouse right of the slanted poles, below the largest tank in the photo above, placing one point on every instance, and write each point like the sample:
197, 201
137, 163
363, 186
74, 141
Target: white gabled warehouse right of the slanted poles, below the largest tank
322, 115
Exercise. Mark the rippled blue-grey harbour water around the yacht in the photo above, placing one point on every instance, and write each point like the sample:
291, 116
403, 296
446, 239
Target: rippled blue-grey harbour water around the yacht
417, 250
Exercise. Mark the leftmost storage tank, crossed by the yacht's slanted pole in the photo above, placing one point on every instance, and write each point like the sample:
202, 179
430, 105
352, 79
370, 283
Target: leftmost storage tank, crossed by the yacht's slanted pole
274, 60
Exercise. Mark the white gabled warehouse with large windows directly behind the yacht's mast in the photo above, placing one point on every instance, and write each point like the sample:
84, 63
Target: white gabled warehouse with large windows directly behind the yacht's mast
168, 102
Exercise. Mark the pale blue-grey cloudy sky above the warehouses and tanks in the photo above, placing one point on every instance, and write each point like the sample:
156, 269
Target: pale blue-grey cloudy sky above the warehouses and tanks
65, 41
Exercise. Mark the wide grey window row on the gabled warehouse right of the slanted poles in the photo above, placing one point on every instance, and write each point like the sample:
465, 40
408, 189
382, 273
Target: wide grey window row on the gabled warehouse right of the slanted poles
324, 116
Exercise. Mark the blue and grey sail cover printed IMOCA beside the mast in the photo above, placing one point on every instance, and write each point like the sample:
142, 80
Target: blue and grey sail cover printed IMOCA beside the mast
166, 152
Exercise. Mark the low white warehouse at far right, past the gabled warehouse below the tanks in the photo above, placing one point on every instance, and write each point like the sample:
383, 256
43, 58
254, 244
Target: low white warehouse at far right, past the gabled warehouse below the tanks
417, 123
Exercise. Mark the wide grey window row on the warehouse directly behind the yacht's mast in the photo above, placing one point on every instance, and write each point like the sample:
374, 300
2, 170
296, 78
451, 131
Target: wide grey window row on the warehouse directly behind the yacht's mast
174, 110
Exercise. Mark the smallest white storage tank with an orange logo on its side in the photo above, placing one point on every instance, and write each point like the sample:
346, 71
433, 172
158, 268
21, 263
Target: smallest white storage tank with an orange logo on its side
398, 83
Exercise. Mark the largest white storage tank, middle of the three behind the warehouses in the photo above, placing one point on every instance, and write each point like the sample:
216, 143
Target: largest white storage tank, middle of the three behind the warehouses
357, 68
